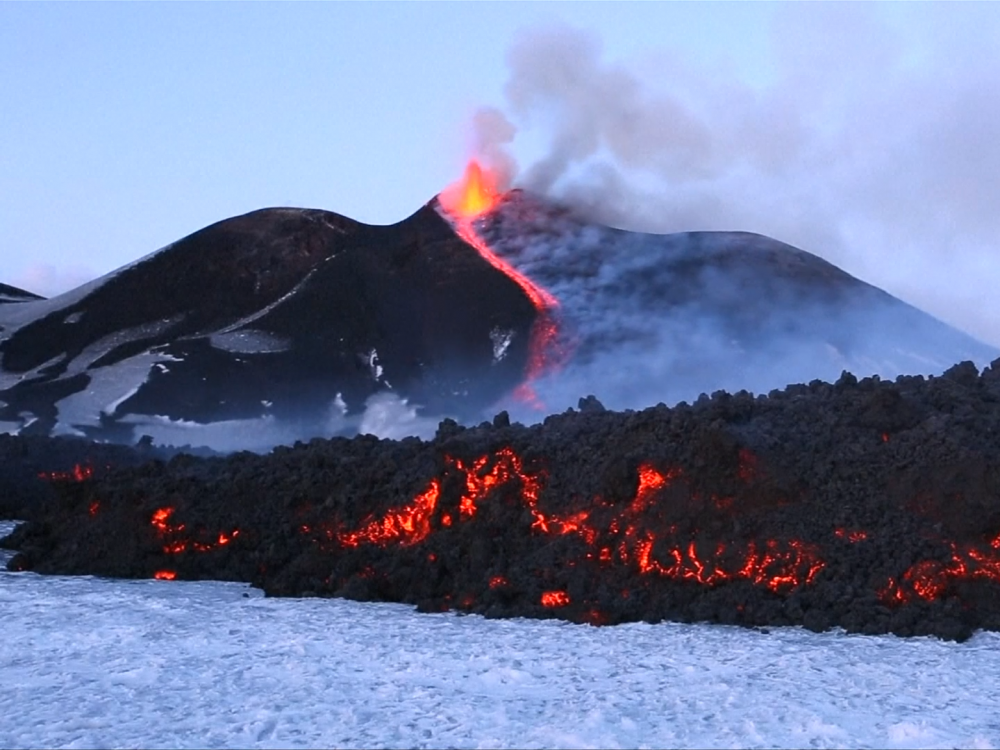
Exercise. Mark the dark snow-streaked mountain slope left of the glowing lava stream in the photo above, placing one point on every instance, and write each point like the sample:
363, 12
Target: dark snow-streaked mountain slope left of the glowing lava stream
288, 315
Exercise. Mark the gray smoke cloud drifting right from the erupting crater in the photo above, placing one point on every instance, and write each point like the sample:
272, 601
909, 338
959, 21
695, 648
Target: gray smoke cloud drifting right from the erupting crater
871, 145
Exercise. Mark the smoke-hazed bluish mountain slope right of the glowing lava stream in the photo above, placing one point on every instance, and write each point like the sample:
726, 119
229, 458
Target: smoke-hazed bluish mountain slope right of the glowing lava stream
667, 317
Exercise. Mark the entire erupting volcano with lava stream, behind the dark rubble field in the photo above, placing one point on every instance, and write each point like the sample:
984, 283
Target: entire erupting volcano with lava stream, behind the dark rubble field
286, 324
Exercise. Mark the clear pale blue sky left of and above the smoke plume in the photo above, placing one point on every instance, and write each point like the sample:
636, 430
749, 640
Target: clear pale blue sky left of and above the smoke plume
126, 126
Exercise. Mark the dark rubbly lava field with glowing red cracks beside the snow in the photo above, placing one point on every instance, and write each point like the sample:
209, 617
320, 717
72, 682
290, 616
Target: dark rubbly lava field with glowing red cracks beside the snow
869, 505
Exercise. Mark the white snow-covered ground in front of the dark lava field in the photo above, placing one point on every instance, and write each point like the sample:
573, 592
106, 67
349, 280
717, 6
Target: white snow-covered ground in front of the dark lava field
88, 662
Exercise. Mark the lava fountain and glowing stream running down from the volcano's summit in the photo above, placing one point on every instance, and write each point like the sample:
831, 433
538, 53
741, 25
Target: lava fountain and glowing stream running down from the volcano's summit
464, 202
